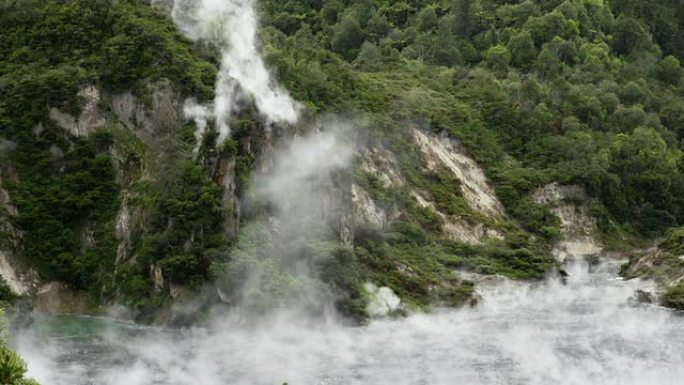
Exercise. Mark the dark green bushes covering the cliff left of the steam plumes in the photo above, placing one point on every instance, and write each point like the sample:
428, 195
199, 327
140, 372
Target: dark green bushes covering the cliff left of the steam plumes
65, 188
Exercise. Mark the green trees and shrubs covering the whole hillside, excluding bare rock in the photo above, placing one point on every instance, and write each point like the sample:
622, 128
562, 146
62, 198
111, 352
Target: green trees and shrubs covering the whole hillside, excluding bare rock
585, 92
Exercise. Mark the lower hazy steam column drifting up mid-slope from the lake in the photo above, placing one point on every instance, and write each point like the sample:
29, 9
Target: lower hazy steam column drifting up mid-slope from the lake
274, 264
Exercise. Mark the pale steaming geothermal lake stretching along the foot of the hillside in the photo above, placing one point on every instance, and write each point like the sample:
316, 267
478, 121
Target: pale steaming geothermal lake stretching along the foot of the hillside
586, 331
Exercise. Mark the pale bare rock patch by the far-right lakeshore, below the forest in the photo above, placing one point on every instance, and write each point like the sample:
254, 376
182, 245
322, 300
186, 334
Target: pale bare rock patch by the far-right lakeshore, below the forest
577, 225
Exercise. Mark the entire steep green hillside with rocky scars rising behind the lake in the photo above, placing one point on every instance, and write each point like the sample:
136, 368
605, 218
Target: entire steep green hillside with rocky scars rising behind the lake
462, 114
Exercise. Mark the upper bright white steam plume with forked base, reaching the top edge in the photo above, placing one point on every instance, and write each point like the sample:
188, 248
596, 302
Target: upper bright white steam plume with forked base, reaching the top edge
231, 25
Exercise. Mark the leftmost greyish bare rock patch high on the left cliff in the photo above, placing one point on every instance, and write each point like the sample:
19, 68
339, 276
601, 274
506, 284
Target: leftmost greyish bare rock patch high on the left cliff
90, 118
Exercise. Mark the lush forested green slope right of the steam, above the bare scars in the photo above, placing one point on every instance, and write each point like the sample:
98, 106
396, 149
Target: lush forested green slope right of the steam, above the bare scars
574, 91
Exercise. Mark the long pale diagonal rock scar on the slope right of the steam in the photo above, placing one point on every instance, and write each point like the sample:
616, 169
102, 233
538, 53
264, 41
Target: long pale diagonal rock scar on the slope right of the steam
443, 151
